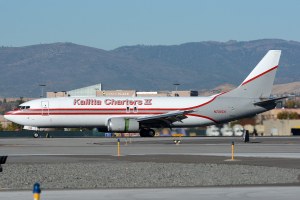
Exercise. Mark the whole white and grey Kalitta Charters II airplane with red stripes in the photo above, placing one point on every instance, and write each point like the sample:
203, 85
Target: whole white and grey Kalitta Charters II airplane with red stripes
142, 114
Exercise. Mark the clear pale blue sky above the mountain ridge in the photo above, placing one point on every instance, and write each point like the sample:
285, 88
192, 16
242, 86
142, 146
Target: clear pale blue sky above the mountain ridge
113, 23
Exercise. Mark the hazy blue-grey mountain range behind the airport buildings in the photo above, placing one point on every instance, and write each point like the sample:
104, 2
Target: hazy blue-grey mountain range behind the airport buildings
198, 65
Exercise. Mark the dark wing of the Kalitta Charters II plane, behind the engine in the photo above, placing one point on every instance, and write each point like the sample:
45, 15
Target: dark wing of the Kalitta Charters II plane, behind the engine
163, 120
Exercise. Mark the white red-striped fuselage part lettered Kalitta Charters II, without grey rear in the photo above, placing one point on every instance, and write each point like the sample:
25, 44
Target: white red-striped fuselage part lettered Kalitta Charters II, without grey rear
95, 111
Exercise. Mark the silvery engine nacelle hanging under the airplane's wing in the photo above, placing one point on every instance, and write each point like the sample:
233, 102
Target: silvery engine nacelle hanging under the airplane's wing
119, 124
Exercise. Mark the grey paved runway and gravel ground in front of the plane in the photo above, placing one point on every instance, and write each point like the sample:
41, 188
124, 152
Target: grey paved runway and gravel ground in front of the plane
195, 167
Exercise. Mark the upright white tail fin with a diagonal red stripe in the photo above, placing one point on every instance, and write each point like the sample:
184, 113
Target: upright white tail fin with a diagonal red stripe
259, 82
